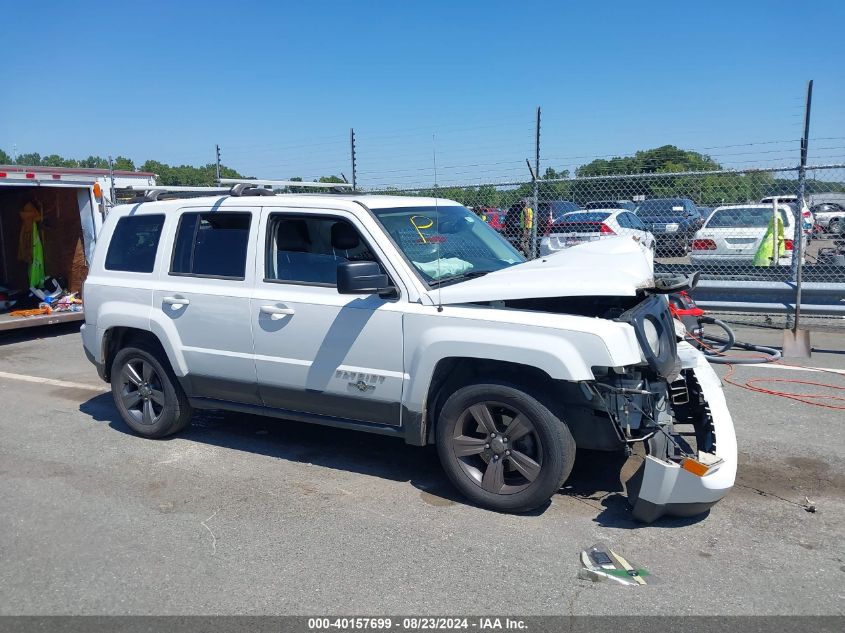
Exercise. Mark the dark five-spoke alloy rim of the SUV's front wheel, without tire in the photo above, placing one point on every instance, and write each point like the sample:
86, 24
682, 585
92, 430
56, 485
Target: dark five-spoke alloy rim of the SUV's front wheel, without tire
497, 448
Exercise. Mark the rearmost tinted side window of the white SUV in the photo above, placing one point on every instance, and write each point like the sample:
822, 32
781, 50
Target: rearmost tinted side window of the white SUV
134, 244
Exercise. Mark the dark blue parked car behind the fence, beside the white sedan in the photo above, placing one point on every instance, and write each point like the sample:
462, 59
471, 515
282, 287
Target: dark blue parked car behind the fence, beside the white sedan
673, 222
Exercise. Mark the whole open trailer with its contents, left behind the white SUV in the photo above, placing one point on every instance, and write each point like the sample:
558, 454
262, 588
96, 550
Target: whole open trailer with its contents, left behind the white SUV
49, 222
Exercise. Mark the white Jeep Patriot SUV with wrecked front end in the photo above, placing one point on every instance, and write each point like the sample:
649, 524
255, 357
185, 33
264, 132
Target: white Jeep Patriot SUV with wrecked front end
409, 317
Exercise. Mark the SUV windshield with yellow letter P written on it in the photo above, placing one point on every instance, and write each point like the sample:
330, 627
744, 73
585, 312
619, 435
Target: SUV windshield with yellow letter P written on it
447, 242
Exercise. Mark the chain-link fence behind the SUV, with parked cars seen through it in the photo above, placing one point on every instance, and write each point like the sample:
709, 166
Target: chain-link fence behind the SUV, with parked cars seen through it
729, 225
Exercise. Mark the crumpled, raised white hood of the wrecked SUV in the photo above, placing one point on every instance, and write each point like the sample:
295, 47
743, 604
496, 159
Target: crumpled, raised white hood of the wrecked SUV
608, 267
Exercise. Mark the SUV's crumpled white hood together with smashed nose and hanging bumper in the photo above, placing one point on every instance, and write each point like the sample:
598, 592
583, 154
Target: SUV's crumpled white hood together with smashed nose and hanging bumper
667, 411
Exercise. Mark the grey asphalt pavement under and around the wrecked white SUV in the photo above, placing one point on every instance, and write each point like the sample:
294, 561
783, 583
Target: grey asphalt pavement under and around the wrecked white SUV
245, 515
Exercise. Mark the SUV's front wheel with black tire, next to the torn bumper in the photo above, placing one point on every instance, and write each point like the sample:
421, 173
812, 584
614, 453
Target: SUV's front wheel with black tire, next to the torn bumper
525, 484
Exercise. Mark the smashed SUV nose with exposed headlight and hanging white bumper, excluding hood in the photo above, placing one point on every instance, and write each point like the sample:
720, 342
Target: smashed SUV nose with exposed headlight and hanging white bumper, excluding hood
671, 415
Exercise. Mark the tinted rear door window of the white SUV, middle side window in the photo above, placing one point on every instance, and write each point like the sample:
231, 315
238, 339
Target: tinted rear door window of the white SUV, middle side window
211, 245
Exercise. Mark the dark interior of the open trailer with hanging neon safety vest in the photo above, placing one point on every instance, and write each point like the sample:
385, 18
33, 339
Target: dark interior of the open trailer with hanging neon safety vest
31, 268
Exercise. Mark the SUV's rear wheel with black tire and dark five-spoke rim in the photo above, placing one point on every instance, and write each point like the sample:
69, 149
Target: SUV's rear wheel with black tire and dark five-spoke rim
169, 410
